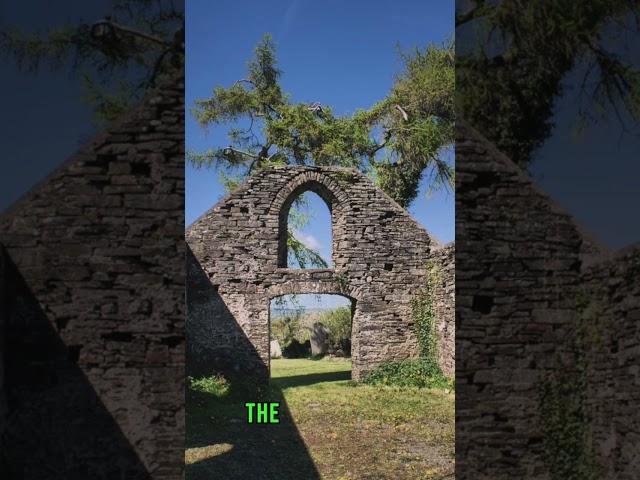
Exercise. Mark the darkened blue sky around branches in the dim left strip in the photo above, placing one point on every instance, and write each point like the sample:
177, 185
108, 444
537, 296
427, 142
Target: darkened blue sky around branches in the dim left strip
43, 119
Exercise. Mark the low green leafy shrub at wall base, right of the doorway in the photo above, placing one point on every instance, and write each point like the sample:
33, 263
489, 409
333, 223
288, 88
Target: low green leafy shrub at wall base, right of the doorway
419, 372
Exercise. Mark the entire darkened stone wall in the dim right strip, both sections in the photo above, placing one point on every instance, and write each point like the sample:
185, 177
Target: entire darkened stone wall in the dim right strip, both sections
536, 300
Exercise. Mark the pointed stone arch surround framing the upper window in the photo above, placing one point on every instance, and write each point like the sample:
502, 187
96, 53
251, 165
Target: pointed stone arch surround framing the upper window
311, 181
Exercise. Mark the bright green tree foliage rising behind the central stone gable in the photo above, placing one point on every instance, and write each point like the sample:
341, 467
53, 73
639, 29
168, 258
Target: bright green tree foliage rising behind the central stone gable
396, 140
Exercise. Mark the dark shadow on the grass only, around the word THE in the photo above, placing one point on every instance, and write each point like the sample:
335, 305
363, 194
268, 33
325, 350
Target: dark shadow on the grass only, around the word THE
223, 445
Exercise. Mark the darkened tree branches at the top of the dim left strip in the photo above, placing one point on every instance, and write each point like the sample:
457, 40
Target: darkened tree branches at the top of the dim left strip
119, 56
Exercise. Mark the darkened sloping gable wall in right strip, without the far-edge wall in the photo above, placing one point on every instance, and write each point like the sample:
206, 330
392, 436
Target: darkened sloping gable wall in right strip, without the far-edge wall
517, 271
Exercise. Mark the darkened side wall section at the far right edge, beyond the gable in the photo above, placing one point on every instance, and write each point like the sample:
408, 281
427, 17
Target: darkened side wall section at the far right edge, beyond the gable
612, 296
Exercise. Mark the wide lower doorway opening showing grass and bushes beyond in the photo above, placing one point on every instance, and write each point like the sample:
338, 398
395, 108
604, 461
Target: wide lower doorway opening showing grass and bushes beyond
310, 335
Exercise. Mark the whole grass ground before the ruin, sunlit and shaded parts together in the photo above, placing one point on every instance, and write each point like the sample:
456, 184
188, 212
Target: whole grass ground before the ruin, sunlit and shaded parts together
331, 428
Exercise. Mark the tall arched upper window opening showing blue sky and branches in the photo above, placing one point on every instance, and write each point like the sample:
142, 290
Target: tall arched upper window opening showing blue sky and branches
306, 229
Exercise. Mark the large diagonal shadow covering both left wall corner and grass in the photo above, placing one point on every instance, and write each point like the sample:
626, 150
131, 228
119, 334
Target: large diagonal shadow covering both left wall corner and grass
220, 444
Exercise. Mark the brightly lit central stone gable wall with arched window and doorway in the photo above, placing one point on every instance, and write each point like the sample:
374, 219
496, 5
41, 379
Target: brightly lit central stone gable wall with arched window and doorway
379, 258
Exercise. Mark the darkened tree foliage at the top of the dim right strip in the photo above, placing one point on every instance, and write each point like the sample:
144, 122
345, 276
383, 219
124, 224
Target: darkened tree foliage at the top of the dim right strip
516, 58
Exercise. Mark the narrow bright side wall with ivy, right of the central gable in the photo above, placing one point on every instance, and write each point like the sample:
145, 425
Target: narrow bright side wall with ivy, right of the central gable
445, 307
